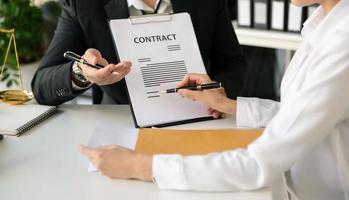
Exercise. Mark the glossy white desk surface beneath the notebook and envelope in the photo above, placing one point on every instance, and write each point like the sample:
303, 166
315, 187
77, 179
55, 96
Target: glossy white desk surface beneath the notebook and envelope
46, 164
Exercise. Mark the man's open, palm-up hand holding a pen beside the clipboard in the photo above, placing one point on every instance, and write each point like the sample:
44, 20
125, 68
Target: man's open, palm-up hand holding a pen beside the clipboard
105, 75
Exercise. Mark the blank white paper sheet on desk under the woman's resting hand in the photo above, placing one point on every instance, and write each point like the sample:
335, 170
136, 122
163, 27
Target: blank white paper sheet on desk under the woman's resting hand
112, 134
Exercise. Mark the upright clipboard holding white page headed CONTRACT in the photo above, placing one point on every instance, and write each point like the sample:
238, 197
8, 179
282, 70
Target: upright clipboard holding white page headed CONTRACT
162, 48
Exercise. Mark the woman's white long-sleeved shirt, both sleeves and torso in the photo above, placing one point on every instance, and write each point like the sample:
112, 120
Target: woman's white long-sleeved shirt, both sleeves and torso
306, 135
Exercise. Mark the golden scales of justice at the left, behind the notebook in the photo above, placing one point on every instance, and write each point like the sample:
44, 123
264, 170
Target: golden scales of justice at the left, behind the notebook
13, 97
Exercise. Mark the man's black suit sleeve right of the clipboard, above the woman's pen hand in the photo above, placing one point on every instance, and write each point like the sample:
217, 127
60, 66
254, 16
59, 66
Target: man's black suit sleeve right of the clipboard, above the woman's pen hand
227, 62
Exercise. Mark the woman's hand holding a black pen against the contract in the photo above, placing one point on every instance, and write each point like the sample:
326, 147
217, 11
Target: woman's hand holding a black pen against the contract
215, 99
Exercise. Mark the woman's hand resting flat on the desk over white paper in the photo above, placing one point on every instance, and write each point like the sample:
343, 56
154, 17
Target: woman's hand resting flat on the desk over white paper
121, 163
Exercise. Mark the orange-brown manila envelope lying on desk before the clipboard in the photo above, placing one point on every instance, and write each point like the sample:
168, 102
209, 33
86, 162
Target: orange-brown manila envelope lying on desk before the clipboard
193, 142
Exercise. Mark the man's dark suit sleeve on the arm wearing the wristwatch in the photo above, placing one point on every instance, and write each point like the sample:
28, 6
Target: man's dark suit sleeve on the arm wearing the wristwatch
52, 84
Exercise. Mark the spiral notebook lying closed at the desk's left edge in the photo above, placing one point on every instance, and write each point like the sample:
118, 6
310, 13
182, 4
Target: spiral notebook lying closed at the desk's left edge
16, 120
